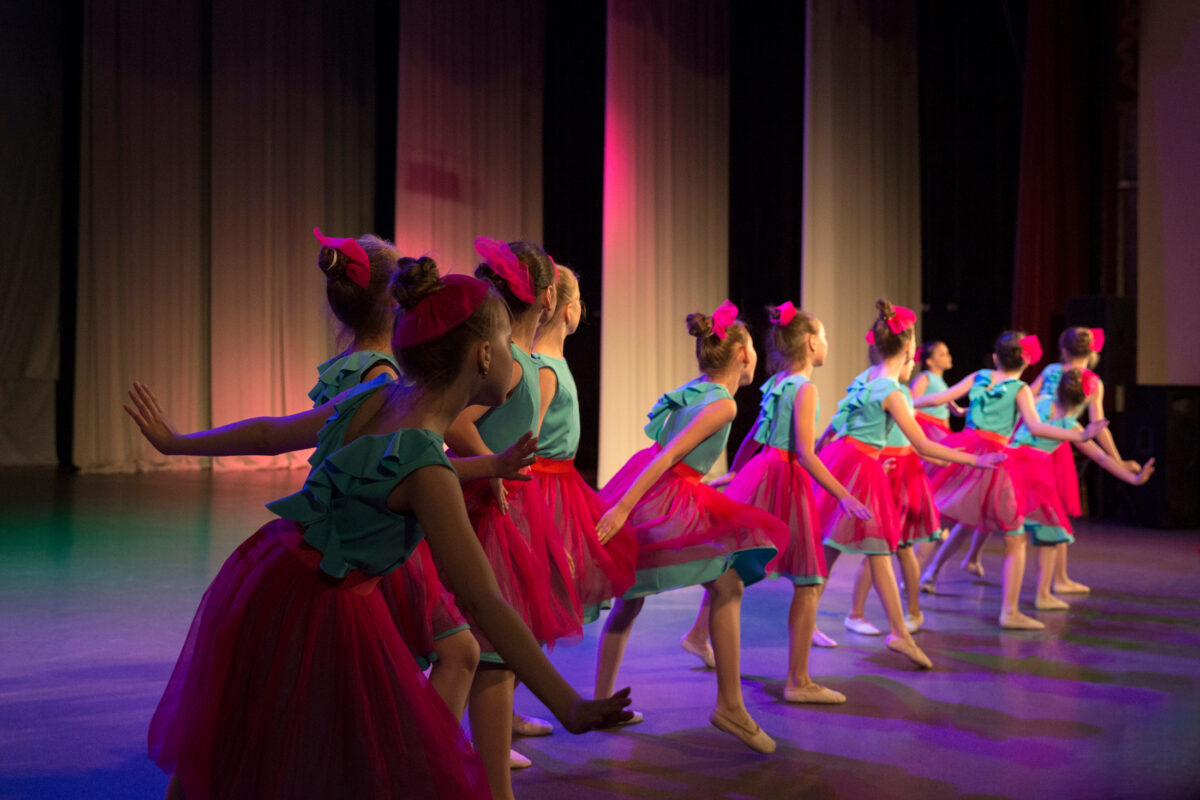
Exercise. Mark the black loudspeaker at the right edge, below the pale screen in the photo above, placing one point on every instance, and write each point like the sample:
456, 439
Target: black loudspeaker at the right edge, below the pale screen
1165, 423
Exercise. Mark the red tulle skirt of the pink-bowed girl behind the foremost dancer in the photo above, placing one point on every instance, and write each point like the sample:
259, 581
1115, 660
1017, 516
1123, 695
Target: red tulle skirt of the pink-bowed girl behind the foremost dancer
531, 564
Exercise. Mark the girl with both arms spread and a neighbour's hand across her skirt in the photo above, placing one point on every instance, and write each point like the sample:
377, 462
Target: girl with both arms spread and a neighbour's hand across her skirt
995, 502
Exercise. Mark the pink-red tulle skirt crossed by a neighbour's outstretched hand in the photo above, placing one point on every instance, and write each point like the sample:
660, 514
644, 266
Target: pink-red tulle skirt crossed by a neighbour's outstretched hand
983, 500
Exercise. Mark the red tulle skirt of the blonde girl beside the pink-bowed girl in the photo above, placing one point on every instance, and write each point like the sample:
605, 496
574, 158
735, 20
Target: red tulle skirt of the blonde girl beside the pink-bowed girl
602, 572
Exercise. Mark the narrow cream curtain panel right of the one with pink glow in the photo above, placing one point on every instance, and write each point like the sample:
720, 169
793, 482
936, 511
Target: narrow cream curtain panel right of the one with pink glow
862, 179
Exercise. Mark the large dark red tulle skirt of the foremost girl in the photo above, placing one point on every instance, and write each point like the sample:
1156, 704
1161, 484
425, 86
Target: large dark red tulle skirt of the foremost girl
293, 687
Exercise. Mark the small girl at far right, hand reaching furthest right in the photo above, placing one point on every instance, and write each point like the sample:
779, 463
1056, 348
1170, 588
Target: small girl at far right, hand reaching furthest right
1047, 516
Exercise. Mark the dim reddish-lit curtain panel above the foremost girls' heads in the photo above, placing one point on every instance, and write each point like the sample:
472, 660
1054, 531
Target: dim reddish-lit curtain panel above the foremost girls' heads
469, 127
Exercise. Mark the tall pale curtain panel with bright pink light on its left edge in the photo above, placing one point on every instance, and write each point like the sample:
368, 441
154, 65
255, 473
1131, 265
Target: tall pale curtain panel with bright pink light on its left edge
665, 206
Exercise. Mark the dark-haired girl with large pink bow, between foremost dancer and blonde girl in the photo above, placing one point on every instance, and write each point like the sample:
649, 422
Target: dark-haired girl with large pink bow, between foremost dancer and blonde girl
511, 519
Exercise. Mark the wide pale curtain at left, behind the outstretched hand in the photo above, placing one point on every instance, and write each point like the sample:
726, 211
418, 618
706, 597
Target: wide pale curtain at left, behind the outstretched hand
212, 148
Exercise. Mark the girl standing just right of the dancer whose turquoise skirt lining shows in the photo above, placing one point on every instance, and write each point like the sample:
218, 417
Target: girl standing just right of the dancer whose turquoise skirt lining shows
775, 471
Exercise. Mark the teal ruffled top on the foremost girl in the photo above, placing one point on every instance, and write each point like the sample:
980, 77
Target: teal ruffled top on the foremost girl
367, 468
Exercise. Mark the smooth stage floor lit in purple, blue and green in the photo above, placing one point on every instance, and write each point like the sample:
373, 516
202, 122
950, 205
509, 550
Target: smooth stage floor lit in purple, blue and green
100, 578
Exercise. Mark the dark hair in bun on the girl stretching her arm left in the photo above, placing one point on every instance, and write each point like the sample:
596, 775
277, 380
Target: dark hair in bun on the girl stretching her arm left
363, 311
